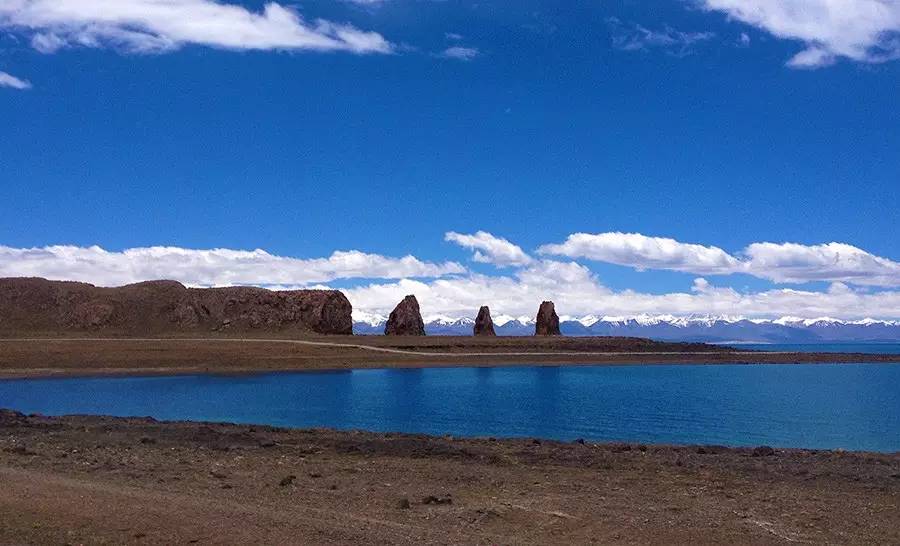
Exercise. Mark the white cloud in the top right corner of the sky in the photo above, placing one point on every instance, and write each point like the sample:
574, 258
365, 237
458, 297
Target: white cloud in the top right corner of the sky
861, 30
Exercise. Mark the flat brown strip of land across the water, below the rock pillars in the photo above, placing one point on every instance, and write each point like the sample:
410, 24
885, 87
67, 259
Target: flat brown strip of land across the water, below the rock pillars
56, 356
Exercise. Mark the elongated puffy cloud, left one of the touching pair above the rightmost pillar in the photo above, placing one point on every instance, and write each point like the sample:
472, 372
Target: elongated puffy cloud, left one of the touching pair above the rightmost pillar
642, 252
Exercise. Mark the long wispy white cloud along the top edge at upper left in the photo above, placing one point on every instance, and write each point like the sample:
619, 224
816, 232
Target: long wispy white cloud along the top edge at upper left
162, 25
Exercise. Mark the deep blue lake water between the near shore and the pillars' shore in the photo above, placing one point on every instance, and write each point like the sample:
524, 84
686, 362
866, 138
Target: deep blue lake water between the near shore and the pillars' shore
815, 406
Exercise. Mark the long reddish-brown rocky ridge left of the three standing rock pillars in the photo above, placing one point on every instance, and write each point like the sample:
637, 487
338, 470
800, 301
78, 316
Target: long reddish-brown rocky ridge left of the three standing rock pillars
39, 306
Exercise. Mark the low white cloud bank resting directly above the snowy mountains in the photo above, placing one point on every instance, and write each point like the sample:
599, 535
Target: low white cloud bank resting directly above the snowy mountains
578, 293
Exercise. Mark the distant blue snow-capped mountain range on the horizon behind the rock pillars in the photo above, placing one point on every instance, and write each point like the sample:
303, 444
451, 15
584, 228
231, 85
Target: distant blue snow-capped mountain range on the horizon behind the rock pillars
670, 328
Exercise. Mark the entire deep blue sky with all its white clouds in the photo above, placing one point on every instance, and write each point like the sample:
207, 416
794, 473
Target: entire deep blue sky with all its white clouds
685, 157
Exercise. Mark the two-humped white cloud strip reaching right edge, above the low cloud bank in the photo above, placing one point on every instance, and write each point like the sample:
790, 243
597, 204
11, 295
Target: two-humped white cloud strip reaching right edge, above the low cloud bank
783, 263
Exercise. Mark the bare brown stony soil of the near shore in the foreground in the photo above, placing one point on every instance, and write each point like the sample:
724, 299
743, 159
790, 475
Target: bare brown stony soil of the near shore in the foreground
98, 480
